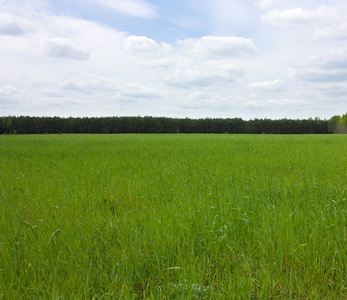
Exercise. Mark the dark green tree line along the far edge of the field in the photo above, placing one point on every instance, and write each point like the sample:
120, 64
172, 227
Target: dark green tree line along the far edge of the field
147, 124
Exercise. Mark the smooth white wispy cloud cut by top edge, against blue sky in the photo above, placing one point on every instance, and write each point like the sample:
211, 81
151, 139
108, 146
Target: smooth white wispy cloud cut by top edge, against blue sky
135, 8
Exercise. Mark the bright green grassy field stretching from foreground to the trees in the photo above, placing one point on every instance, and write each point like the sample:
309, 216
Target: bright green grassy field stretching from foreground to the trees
173, 216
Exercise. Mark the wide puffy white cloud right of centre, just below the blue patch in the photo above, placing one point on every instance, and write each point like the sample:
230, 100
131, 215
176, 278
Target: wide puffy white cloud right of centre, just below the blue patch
218, 46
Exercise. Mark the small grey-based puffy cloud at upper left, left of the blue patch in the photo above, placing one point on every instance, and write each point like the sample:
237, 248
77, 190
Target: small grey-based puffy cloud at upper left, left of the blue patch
63, 48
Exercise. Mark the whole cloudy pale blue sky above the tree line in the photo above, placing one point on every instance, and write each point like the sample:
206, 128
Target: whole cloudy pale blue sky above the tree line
175, 58
